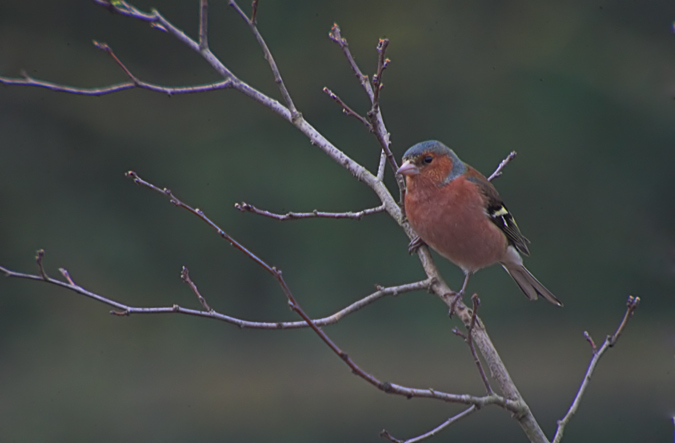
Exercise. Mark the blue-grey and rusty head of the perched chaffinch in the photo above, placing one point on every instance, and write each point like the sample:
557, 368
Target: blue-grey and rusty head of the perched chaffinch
431, 161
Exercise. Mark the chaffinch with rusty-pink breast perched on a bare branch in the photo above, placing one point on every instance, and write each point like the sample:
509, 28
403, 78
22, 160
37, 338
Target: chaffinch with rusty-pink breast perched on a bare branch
455, 210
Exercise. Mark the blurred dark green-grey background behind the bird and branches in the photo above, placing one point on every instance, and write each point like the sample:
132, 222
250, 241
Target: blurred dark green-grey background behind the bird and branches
582, 90
